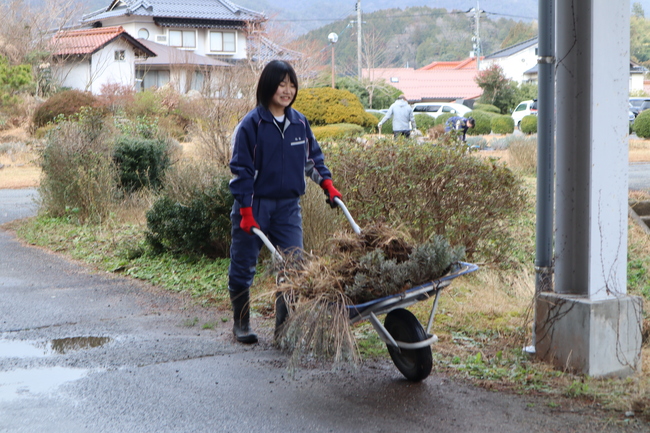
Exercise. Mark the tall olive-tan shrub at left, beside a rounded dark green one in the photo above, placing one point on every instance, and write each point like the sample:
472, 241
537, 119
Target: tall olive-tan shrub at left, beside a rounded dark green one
78, 174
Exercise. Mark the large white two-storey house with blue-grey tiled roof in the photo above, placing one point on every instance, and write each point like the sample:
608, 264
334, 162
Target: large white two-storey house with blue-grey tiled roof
191, 38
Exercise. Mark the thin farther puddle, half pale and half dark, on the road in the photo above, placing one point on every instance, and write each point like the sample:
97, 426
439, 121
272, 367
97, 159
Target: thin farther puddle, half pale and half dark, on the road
60, 346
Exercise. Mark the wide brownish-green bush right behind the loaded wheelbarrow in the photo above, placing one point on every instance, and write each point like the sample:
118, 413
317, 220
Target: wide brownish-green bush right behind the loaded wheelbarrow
429, 190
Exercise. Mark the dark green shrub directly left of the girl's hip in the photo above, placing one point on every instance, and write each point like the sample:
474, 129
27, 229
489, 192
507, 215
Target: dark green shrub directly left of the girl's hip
199, 226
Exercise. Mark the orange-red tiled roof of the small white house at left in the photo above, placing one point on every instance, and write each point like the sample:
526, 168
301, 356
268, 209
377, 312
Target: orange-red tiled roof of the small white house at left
87, 41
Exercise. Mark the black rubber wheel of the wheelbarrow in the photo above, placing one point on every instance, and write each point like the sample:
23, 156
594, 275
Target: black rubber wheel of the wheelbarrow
414, 364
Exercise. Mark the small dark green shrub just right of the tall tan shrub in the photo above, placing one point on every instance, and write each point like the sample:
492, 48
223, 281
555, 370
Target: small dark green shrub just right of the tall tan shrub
141, 162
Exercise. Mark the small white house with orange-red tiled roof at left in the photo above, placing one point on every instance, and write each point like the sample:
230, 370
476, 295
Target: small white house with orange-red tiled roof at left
89, 59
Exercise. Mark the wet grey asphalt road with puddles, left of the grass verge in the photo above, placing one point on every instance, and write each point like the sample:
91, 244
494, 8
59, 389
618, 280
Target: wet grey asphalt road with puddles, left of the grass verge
82, 351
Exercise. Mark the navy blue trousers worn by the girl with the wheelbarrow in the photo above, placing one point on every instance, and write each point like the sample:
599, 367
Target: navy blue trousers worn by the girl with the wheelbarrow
280, 220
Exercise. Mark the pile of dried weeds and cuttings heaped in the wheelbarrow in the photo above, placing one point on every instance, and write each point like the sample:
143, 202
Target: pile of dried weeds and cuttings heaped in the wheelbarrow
357, 268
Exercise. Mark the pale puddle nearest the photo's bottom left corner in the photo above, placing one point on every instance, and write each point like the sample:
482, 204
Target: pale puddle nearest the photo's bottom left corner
23, 383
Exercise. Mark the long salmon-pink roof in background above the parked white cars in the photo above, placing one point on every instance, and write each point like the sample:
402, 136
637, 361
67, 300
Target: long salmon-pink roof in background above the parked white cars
436, 84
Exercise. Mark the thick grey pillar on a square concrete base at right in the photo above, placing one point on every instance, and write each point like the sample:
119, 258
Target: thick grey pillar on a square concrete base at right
589, 324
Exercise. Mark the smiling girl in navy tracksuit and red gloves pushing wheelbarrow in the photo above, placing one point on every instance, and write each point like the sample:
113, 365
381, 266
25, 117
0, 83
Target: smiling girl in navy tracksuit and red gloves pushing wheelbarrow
273, 150
